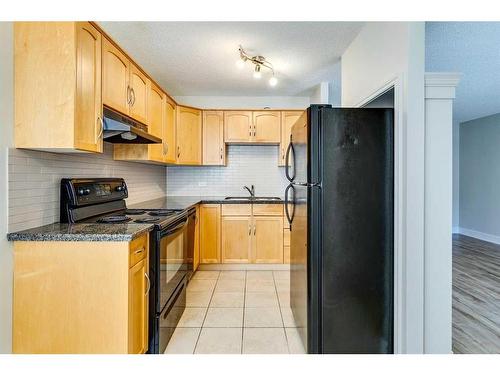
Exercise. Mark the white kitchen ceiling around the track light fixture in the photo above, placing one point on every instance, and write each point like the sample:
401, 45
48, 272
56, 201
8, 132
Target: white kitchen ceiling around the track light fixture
199, 58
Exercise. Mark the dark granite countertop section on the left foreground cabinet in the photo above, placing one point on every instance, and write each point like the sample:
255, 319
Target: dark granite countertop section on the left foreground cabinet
81, 232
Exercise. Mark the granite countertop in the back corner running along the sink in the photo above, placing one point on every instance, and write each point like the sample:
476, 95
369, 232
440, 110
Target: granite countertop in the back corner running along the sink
183, 202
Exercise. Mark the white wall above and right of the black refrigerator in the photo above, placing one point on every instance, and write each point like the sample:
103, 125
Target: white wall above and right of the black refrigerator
385, 52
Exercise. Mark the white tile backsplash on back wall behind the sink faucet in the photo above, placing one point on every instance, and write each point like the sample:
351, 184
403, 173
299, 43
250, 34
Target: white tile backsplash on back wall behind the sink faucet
246, 165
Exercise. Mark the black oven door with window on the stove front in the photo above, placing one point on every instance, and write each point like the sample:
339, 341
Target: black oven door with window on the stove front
173, 262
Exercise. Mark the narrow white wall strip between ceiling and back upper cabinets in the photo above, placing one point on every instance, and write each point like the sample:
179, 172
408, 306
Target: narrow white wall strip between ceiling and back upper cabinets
243, 102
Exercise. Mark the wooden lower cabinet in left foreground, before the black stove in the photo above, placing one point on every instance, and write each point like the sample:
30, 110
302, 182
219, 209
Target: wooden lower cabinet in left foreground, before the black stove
80, 297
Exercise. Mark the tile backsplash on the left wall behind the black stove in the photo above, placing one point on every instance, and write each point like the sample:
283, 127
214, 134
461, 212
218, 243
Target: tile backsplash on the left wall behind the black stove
34, 179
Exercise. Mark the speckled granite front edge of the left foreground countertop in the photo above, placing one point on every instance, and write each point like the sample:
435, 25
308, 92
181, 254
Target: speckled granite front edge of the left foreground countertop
28, 236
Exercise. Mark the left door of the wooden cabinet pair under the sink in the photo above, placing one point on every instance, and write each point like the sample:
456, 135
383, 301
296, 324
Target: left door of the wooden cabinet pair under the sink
236, 239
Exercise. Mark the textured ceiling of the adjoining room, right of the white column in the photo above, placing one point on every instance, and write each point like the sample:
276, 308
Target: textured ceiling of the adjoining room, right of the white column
471, 48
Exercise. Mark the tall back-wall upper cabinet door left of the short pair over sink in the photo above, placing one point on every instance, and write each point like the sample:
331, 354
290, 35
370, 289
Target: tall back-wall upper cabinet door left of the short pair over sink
213, 138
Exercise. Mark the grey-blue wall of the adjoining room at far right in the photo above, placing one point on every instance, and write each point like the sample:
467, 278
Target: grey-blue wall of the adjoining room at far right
480, 178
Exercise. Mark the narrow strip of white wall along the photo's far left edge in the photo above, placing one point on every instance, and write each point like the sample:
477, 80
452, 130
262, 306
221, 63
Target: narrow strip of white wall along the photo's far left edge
6, 130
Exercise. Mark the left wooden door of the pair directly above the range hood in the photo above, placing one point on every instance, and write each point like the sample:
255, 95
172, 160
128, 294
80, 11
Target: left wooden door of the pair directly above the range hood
115, 77
